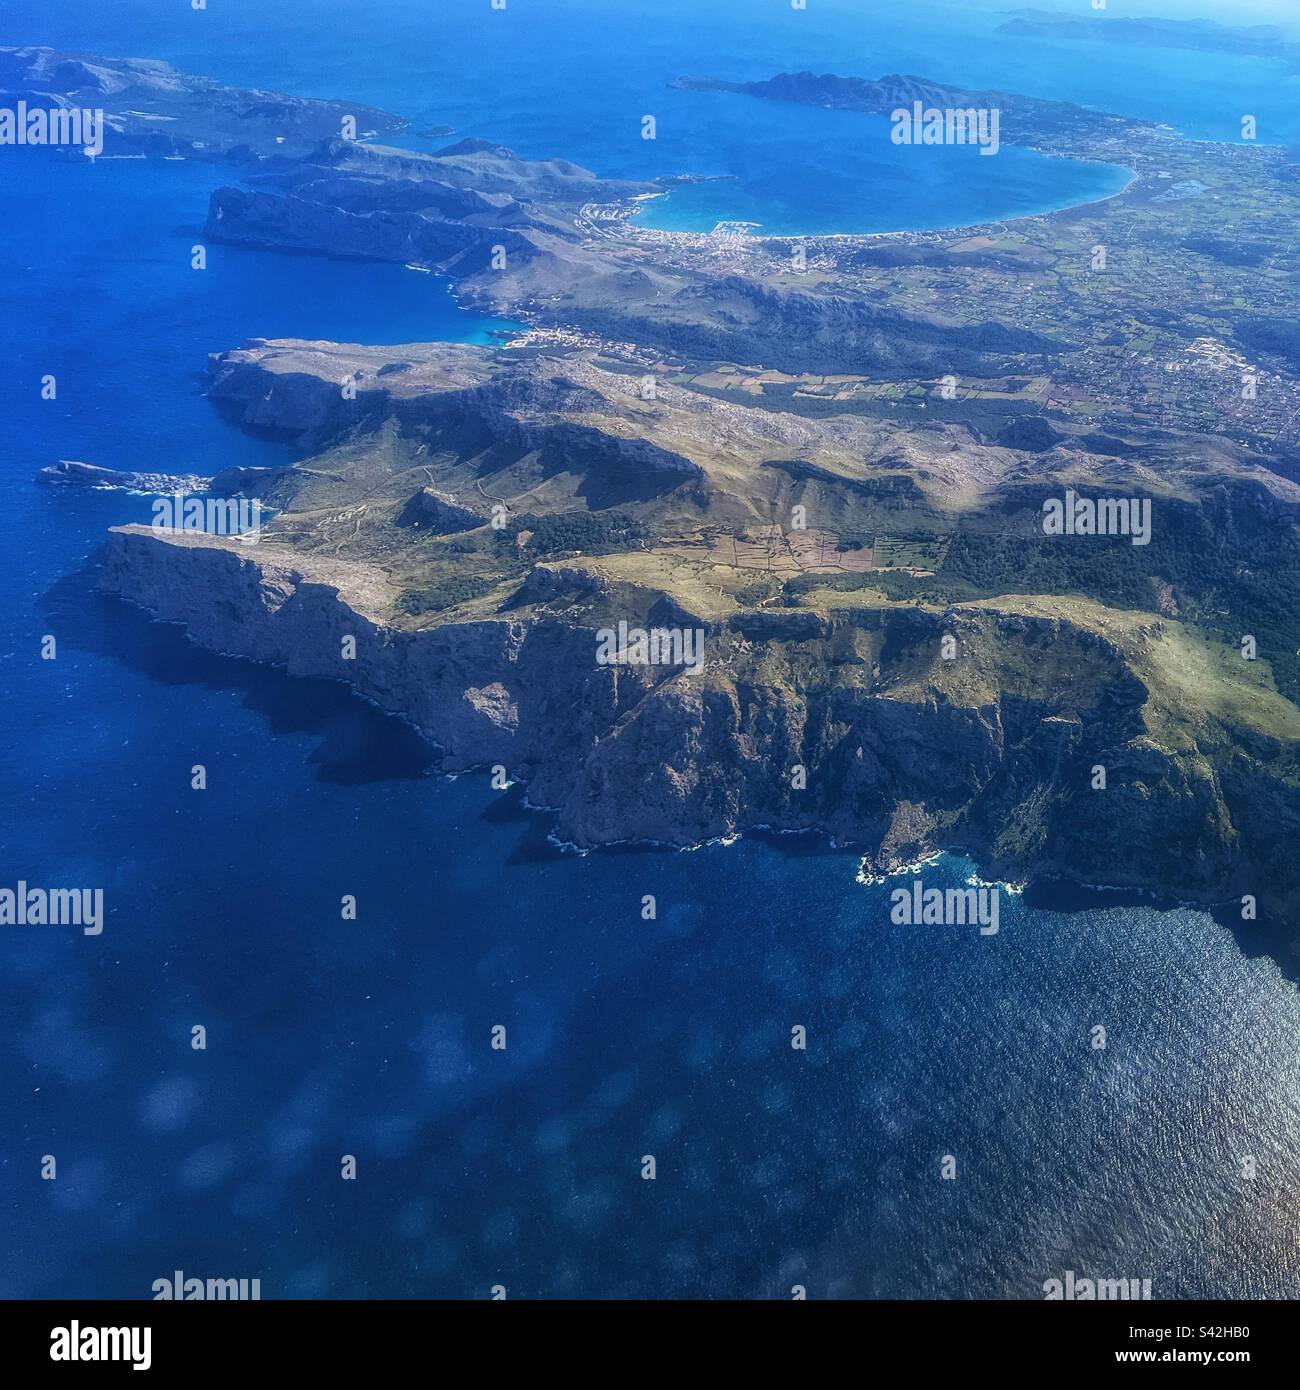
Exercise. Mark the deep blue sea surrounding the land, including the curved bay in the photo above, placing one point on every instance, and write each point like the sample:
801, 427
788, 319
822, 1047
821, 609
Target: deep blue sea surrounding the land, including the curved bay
626, 1039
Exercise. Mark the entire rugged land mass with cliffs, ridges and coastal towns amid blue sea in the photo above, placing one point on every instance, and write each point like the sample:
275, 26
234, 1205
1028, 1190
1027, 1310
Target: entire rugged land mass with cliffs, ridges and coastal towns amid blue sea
464, 522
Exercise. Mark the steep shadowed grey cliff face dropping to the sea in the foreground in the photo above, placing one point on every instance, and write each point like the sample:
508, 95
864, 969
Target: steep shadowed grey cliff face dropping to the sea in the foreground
891, 762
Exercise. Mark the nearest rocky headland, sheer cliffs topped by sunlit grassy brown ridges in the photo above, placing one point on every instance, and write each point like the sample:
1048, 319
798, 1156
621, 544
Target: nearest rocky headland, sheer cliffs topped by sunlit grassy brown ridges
822, 705
